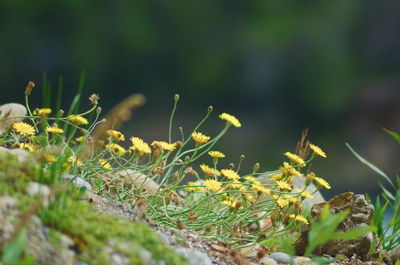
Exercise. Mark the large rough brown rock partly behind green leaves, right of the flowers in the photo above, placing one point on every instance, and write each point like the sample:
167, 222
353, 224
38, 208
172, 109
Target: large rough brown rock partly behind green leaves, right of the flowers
361, 213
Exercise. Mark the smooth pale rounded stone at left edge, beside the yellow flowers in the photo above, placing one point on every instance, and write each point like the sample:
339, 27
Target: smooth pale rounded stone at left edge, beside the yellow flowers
9, 113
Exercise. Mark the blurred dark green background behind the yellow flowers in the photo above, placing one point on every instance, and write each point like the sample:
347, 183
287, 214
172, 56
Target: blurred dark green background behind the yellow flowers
279, 66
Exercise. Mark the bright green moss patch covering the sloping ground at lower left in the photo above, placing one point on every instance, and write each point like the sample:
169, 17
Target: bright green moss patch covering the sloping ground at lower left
76, 218
